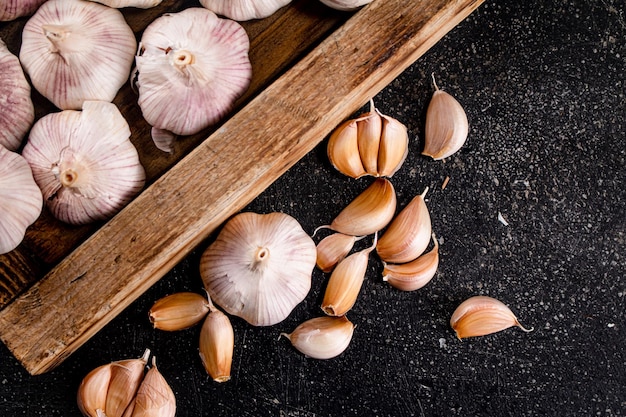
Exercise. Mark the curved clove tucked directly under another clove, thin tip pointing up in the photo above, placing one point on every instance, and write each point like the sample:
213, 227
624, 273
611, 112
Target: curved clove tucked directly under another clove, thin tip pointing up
413, 275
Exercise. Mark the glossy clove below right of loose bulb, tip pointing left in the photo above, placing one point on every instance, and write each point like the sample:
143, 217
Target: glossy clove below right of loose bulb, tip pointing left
322, 337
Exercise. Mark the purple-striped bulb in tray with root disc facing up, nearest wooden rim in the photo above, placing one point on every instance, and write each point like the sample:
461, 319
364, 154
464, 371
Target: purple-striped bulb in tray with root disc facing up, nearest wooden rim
84, 162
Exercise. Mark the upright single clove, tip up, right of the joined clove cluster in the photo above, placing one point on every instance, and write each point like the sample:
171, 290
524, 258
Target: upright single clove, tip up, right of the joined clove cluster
446, 125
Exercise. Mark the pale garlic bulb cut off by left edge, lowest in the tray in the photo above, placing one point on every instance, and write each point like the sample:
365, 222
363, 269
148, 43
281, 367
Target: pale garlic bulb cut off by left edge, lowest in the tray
20, 199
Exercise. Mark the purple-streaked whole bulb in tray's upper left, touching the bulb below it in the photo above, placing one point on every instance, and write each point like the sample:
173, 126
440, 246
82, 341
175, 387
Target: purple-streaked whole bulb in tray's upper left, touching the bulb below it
76, 50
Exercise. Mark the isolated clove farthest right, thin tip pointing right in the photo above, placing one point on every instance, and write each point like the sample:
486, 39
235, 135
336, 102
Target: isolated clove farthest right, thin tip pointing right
482, 315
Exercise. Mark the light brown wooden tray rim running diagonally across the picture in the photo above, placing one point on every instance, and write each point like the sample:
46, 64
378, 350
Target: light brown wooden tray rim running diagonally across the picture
283, 122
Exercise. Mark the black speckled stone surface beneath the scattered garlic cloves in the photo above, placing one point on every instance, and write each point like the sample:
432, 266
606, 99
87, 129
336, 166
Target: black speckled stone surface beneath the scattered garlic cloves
543, 87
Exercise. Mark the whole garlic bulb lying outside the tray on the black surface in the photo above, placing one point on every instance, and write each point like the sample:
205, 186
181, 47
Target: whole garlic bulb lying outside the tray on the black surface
259, 267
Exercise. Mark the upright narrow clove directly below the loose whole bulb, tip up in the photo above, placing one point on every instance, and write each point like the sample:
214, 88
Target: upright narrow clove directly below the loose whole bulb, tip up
217, 341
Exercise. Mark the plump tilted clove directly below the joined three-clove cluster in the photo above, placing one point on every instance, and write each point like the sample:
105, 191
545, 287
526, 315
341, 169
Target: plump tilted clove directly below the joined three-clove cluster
369, 212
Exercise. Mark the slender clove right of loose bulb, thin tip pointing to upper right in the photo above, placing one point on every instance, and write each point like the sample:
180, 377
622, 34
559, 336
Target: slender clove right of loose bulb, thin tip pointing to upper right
345, 283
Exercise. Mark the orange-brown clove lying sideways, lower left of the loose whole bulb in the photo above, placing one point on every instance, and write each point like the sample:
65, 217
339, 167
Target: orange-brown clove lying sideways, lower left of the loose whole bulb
178, 311
